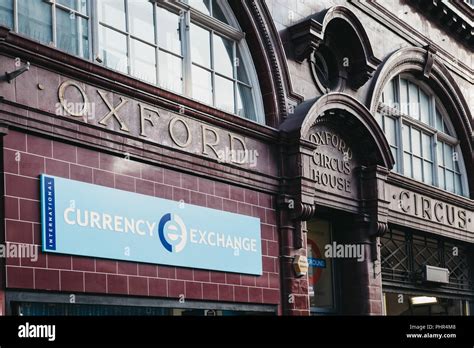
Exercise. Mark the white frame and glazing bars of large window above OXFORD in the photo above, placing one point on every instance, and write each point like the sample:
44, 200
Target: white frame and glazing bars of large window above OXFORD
188, 15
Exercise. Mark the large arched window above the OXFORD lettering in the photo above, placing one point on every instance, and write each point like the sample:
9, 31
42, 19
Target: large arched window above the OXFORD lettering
191, 47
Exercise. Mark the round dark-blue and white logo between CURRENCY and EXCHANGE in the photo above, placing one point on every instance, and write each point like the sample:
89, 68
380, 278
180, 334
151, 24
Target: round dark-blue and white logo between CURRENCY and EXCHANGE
172, 233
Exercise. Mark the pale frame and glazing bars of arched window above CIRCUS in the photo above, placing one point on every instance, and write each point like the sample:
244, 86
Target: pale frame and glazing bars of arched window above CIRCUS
405, 120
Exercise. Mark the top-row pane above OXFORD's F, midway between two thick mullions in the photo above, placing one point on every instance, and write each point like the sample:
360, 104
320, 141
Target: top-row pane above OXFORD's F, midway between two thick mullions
141, 20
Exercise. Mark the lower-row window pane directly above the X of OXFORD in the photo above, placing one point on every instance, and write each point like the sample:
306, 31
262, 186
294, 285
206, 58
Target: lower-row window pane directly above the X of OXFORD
113, 49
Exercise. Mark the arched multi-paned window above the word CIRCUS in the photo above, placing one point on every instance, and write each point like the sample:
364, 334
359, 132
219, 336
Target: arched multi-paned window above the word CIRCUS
421, 136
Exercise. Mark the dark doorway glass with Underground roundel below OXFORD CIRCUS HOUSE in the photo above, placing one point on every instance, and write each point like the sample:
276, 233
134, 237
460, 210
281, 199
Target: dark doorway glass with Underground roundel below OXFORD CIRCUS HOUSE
320, 273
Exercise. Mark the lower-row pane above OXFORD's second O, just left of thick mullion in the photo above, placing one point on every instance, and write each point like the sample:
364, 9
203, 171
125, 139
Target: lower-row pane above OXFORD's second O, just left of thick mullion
170, 72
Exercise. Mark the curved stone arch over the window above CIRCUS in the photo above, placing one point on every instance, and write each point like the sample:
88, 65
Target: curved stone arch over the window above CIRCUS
424, 65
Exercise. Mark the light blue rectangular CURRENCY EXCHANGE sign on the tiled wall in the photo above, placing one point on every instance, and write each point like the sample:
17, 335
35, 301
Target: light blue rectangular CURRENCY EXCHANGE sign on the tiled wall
91, 220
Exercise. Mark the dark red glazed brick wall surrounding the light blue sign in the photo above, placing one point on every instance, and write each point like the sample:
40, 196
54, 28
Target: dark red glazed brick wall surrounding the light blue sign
27, 156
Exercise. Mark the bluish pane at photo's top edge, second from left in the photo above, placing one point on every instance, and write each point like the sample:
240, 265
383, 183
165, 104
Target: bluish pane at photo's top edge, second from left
34, 20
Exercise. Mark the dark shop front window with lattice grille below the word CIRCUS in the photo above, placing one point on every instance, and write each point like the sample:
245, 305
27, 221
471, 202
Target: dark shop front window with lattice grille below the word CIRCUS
408, 257
